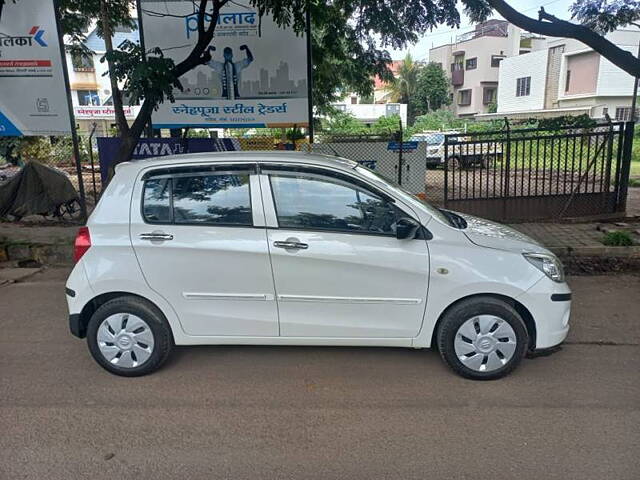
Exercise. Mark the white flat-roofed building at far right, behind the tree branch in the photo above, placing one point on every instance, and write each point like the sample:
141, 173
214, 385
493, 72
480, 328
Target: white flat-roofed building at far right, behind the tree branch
566, 78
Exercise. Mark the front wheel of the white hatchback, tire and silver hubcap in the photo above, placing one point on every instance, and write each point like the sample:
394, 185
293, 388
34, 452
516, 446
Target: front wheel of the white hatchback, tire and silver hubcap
482, 338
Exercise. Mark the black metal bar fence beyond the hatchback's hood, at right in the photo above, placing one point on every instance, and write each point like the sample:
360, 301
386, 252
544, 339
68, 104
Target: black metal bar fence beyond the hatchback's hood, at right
533, 174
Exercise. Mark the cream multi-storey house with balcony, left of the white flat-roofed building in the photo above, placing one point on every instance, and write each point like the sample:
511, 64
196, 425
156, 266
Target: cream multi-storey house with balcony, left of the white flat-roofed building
472, 63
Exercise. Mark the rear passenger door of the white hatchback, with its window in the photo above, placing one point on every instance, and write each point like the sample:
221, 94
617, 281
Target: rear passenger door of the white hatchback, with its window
200, 240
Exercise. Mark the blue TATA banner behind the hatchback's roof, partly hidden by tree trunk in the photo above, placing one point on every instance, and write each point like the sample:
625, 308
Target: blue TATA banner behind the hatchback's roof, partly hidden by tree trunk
160, 147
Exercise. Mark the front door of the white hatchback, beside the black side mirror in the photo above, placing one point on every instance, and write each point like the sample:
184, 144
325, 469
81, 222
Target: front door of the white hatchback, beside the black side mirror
338, 267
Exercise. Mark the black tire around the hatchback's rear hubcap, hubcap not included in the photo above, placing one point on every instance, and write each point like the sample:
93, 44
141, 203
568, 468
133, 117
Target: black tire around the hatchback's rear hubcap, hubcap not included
162, 336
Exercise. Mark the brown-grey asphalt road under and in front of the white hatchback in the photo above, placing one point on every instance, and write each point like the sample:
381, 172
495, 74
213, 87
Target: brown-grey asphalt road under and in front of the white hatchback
307, 413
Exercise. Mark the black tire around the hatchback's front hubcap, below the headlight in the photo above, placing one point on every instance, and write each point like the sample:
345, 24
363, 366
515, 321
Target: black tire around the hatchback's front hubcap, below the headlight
467, 309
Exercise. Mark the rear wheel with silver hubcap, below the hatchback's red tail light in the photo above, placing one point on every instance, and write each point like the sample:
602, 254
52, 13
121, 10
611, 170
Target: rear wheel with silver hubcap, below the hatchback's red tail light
128, 336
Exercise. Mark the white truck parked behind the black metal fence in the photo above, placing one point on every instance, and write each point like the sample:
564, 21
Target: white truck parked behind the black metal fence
460, 155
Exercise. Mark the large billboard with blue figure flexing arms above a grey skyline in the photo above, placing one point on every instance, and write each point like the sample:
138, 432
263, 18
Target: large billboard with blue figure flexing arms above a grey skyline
257, 75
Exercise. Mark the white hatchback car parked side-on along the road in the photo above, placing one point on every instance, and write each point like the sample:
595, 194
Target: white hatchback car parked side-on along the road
277, 248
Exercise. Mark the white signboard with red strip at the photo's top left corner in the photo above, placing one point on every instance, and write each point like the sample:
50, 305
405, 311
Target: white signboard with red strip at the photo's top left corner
33, 98
